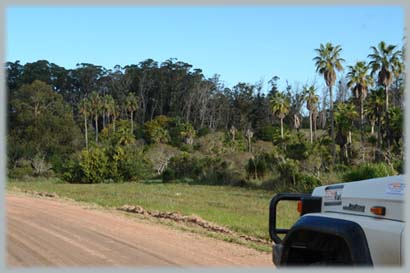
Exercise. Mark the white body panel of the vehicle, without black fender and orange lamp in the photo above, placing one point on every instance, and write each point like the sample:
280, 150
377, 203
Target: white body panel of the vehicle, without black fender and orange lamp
353, 202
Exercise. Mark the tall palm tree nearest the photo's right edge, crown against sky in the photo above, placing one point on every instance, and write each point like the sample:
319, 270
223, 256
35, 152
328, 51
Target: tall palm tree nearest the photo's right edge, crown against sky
386, 62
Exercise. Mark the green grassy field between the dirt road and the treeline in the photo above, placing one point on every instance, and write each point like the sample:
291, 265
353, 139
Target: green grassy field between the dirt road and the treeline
242, 210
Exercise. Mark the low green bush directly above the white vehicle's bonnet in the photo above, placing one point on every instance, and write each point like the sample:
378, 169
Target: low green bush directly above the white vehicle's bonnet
369, 170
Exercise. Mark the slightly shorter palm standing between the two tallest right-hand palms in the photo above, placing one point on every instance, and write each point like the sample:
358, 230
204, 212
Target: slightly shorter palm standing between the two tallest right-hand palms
359, 82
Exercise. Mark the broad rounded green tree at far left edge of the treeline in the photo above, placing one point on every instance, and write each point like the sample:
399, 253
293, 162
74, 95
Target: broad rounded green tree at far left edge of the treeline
40, 124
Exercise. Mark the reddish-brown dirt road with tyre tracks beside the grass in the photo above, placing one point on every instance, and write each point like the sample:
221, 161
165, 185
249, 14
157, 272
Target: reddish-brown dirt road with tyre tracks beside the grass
49, 232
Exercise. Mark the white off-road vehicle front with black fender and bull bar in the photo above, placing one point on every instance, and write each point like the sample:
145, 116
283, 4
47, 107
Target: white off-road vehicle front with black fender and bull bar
356, 224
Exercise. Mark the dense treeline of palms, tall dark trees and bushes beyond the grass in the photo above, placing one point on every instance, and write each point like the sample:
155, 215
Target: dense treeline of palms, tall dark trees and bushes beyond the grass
146, 120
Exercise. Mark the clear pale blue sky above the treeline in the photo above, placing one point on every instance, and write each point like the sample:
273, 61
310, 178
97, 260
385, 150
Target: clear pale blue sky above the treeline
245, 44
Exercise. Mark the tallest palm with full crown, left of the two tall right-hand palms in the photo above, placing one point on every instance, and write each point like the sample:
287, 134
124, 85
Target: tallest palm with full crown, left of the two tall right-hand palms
327, 63
